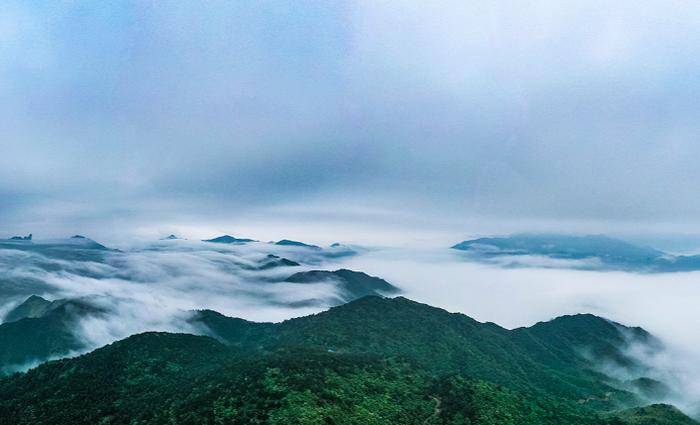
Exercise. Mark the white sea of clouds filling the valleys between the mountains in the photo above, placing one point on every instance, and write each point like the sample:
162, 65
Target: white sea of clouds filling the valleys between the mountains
153, 286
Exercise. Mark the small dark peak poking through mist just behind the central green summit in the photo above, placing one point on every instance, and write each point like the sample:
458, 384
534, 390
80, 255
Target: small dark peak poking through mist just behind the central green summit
351, 284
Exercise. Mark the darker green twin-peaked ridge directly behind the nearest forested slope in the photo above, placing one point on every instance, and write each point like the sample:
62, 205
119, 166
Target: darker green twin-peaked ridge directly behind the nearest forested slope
443, 342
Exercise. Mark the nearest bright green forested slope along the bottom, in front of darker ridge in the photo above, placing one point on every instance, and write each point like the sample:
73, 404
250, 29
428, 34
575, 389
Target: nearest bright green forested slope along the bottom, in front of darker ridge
159, 378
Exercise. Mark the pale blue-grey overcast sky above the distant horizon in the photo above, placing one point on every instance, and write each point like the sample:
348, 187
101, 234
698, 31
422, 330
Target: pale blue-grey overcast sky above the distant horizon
365, 121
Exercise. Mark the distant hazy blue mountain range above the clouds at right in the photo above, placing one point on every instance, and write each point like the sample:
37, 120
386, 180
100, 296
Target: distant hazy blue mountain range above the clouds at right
580, 252
